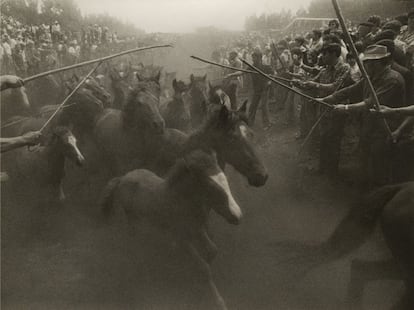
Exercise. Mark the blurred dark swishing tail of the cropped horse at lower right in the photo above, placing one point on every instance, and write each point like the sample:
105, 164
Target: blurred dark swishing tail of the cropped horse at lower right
359, 223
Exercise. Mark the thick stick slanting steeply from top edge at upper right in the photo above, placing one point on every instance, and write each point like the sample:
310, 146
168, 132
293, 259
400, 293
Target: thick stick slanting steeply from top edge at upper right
354, 52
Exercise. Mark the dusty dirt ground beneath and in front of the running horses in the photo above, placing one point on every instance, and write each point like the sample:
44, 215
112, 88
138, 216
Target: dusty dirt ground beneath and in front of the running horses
73, 260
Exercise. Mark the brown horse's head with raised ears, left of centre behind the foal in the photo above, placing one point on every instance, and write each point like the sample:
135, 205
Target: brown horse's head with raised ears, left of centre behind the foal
141, 111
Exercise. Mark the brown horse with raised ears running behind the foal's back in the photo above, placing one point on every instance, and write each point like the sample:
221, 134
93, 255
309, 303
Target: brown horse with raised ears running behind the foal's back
126, 138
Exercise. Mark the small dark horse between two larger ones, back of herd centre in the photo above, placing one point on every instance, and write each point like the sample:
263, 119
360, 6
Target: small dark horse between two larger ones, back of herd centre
176, 114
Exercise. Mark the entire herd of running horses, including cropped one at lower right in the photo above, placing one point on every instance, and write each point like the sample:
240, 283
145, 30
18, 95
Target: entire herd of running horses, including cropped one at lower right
163, 160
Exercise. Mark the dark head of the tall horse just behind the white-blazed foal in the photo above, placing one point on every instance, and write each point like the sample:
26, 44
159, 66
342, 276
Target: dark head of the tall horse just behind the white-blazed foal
232, 138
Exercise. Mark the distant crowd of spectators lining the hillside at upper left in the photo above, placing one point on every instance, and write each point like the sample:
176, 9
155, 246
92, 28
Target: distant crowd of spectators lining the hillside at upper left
29, 49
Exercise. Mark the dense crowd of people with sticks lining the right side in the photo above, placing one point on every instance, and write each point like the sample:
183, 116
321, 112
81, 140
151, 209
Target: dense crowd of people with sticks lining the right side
319, 63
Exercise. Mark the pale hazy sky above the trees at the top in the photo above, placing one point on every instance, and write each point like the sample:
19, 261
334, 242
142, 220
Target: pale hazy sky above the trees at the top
186, 15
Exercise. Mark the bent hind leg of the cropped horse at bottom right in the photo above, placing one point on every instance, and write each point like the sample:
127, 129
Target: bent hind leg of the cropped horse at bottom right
363, 271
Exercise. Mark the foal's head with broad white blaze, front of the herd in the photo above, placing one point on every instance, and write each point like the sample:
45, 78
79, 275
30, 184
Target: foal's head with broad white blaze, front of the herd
209, 185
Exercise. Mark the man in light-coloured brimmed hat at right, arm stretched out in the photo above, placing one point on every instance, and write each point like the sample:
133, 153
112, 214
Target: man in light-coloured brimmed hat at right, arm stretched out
374, 141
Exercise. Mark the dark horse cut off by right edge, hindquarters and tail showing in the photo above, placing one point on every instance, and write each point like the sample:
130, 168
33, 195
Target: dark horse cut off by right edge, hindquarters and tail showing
393, 207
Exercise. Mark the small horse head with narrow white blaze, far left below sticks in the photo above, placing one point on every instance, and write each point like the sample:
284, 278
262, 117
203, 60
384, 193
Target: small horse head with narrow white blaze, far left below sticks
63, 139
